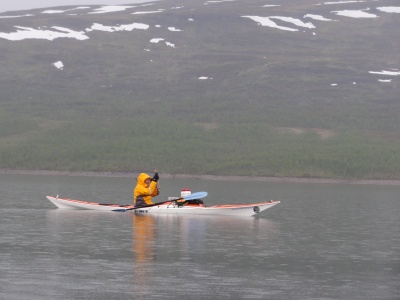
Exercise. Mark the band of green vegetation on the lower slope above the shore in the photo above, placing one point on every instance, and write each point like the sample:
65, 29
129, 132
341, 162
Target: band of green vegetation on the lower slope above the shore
185, 148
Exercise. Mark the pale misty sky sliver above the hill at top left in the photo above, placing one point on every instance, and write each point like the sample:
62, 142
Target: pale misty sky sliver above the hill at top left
30, 4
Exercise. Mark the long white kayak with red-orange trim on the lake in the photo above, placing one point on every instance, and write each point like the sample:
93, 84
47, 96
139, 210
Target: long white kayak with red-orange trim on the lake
176, 206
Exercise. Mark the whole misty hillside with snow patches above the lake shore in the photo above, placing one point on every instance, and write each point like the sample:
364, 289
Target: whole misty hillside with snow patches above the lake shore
259, 88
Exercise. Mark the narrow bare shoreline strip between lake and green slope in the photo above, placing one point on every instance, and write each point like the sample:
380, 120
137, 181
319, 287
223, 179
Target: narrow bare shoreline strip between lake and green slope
207, 177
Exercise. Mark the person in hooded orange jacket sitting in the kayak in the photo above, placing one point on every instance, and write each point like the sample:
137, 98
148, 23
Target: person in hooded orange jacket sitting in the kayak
146, 188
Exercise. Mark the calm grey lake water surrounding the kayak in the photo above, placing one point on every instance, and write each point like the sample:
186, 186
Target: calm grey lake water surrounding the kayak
324, 241
